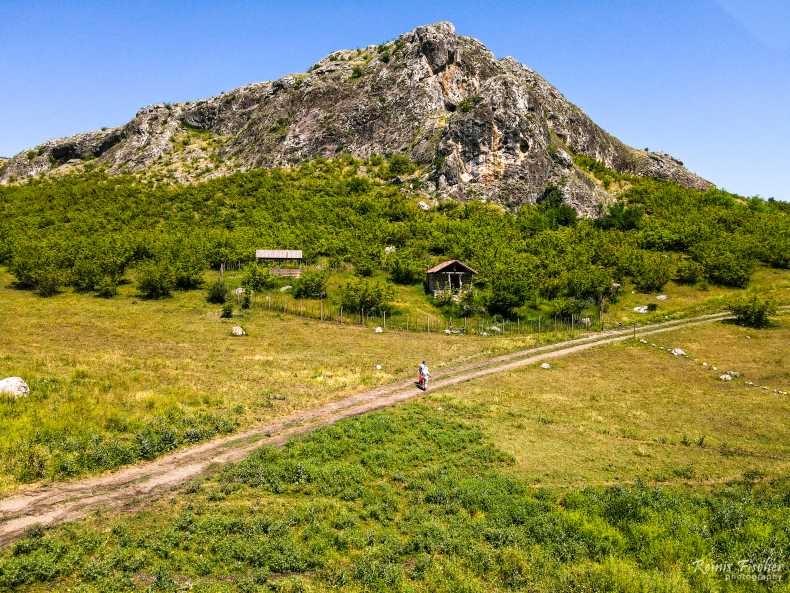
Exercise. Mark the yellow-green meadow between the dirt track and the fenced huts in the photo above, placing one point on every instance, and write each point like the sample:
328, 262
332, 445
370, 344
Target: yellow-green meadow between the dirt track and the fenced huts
116, 381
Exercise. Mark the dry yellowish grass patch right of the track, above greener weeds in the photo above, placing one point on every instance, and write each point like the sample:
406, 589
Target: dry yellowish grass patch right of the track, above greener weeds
630, 411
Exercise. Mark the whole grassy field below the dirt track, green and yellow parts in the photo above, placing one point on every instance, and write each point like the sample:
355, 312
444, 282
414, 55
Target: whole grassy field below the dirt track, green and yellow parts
589, 476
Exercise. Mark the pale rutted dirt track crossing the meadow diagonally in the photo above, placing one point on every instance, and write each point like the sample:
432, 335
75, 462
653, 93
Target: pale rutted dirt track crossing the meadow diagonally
65, 501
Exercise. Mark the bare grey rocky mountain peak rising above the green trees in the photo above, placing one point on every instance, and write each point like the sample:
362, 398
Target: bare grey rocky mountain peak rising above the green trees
479, 126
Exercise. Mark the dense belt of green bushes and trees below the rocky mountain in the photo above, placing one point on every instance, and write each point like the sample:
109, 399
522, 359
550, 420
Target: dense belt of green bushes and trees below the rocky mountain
87, 231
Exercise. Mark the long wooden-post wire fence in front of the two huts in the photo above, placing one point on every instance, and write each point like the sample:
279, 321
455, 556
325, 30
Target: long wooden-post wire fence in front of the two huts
471, 325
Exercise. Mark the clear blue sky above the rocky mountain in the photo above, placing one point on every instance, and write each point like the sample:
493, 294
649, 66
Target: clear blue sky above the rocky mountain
707, 81
